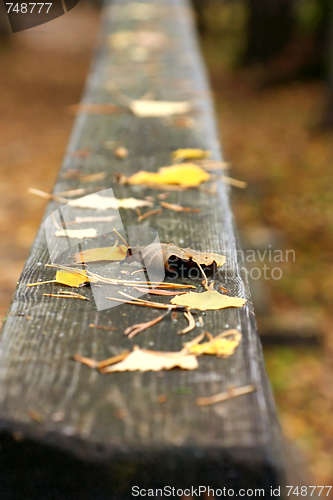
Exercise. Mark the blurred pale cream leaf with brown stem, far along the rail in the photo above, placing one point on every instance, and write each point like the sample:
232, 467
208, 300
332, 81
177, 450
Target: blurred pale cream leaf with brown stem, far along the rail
144, 108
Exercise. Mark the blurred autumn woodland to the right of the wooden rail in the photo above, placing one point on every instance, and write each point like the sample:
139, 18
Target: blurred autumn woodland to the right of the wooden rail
273, 105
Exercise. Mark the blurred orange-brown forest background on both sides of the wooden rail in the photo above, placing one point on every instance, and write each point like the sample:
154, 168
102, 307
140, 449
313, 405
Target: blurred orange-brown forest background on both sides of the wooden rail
271, 68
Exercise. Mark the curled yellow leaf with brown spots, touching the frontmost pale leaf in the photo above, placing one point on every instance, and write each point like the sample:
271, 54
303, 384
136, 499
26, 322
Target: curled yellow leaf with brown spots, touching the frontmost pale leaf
220, 345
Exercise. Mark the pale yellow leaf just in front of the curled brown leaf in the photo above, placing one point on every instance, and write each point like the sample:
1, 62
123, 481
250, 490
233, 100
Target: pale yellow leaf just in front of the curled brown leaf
207, 300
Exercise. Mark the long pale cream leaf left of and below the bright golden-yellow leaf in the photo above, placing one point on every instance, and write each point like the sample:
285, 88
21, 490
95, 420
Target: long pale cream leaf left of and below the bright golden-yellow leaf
98, 202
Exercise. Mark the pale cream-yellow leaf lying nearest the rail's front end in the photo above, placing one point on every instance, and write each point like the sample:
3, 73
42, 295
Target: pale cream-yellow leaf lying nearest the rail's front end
144, 360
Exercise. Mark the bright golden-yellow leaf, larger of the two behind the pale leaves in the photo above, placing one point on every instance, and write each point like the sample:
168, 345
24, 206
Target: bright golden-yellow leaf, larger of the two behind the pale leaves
184, 174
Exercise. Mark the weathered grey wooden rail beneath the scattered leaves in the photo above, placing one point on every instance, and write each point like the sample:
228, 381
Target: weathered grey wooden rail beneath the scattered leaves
235, 442
